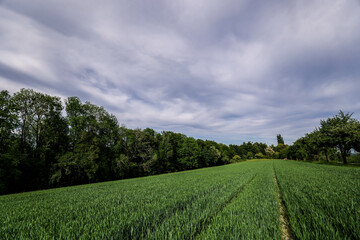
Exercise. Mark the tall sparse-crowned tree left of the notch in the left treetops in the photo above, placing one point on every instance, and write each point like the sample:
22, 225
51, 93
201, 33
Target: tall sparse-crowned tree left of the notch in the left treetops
36, 113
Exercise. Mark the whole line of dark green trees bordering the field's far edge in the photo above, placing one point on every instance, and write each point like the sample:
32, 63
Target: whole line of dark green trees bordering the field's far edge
47, 143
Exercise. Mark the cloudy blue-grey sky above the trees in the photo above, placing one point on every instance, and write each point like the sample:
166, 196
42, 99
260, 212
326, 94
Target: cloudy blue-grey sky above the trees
223, 70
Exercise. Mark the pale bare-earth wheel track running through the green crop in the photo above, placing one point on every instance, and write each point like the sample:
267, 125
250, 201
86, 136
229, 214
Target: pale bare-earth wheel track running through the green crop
287, 233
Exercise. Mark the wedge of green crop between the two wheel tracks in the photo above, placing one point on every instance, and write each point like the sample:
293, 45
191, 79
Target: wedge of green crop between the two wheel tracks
254, 214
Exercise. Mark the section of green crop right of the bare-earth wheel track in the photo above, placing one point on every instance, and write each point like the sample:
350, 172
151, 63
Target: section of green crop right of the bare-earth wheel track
323, 202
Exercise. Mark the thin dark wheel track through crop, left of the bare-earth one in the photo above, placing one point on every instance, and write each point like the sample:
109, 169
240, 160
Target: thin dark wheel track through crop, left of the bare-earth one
203, 224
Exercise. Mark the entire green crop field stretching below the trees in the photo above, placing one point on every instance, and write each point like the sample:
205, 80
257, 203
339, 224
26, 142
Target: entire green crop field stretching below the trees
237, 201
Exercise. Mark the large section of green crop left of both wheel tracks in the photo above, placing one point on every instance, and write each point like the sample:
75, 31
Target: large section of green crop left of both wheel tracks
166, 206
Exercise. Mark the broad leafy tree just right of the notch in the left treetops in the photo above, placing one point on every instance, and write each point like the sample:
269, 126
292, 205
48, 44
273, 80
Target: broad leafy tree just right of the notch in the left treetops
93, 136
